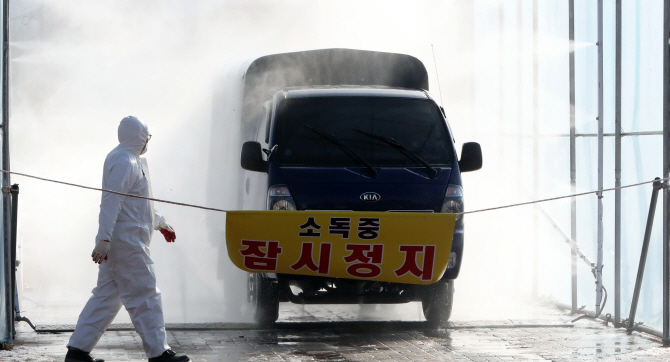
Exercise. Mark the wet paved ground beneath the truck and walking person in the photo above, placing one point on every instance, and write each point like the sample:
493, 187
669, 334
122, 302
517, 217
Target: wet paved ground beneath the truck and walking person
368, 333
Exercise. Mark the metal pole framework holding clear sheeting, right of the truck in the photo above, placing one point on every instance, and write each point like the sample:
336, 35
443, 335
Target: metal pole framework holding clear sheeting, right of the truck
618, 134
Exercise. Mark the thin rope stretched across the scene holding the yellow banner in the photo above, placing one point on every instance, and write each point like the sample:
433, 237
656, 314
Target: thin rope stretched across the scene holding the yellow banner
221, 210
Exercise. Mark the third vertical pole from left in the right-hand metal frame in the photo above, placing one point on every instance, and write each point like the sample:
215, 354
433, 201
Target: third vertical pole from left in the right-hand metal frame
617, 173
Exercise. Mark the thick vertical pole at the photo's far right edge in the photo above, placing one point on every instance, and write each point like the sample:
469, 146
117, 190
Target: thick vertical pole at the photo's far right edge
666, 174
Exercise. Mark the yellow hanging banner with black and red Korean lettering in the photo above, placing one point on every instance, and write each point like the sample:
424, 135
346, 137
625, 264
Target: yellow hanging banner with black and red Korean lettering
400, 247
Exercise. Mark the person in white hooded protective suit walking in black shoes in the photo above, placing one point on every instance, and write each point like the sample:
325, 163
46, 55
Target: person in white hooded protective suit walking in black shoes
126, 272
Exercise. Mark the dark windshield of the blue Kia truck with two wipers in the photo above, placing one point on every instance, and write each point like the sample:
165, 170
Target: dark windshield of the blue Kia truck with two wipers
416, 124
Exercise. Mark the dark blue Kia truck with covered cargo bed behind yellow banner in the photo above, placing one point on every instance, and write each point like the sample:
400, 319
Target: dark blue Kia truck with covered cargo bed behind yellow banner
349, 130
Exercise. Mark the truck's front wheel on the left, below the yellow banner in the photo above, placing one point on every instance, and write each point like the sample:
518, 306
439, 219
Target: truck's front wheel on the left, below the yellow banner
263, 296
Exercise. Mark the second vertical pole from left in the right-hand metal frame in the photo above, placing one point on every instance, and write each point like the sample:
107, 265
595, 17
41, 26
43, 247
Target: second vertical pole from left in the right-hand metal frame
599, 262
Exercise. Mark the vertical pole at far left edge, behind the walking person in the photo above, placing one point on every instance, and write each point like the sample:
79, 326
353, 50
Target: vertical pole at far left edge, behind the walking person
6, 197
